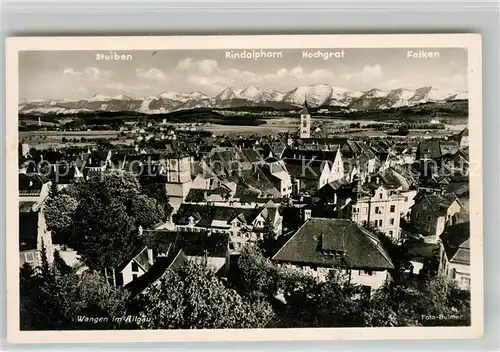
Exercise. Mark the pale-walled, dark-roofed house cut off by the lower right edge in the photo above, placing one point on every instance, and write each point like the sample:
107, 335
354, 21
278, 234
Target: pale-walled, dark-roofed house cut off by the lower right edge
455, 254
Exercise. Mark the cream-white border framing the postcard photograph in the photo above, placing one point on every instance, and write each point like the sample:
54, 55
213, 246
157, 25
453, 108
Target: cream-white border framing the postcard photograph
471, 42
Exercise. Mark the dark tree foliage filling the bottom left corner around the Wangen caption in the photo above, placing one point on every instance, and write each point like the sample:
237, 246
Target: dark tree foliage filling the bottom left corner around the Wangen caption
62, 302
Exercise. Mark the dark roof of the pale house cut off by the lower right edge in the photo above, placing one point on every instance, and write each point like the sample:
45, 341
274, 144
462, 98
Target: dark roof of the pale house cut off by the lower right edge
456, 243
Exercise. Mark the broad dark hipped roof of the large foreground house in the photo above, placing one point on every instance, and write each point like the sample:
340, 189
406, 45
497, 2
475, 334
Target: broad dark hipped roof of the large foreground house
357, 248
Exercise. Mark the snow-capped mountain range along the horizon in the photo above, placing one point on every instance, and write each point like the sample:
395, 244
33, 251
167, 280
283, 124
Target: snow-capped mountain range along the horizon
318, 95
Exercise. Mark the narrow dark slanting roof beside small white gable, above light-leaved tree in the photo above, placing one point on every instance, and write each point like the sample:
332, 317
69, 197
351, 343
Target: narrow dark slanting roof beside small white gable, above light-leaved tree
157, 271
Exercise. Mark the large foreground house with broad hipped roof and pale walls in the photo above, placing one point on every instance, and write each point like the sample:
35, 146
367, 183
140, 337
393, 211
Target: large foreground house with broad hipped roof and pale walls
323, 244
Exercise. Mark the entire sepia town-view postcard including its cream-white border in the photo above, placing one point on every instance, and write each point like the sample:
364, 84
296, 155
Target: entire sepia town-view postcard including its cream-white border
180, 188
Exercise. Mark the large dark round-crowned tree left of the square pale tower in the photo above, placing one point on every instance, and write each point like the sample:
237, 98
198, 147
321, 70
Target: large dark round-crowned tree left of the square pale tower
100, 217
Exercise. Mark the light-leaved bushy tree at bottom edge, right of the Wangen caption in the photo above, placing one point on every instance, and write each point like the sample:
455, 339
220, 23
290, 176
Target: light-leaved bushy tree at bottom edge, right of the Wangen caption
194, 298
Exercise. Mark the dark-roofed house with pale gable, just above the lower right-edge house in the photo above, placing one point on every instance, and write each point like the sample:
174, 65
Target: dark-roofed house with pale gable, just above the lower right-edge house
433, 212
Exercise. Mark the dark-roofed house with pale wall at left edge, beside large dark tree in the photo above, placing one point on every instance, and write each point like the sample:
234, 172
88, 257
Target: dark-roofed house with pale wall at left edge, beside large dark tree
33, 234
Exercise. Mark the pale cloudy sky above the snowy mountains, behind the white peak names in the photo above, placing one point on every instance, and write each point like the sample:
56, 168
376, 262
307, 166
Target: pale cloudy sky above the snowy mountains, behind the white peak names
79, 75
